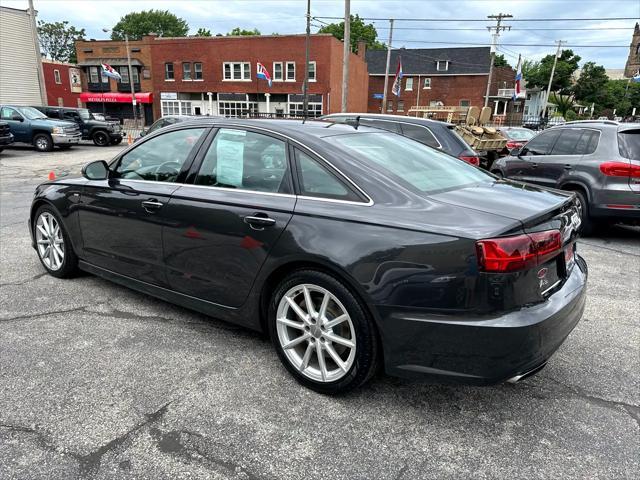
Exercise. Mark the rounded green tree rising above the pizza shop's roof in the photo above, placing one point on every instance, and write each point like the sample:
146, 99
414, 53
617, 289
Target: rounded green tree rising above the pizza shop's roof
138, 24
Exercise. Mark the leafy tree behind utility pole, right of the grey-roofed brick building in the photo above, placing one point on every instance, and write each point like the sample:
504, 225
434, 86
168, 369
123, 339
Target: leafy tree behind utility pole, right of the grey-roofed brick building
537, 73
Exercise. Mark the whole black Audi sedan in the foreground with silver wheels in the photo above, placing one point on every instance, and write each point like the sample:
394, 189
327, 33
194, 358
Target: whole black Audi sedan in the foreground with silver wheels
352, 248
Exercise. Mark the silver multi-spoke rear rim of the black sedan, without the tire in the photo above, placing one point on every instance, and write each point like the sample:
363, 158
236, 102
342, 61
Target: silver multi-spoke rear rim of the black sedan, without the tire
316, 333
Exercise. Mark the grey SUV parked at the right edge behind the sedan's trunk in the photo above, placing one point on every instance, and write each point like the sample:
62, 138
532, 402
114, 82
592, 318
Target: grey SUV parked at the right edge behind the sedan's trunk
598, 160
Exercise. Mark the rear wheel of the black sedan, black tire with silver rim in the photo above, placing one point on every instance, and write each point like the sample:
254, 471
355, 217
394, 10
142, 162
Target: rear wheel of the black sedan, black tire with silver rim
331, 358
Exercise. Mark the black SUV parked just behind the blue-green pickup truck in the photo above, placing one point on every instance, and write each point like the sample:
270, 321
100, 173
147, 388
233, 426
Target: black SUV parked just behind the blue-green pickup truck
101, 132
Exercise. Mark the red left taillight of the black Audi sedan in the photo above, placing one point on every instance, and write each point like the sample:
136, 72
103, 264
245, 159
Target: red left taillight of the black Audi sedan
519, 252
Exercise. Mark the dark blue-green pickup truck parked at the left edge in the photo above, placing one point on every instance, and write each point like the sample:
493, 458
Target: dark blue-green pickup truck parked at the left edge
31, 126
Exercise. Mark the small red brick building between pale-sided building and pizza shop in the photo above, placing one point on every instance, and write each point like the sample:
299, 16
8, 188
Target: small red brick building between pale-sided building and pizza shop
63, 82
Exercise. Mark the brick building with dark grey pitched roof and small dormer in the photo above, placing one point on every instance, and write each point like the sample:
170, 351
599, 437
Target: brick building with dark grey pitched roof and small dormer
452, 77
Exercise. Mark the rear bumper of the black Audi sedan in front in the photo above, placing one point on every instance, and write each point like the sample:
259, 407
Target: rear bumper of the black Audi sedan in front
481, 350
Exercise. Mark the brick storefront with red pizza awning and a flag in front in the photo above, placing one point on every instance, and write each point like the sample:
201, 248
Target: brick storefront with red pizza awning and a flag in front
104, 95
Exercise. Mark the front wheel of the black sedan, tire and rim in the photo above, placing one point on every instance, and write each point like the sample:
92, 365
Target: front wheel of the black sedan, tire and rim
49, 231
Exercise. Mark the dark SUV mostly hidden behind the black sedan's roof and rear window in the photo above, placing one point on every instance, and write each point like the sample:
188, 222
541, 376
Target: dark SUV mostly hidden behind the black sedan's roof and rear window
432, 133
